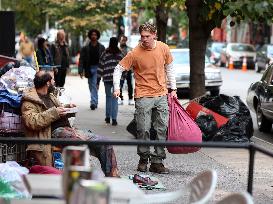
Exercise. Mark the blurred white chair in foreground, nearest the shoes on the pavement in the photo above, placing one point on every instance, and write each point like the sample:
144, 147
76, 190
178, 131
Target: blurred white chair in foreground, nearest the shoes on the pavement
200, 190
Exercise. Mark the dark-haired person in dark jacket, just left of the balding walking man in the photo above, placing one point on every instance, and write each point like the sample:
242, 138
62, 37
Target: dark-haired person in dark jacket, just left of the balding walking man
43, 53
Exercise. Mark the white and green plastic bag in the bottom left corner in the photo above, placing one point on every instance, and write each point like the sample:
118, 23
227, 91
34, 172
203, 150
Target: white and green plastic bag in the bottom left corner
12, 182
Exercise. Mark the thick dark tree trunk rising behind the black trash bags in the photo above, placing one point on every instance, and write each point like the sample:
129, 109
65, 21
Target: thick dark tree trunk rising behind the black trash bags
198, 35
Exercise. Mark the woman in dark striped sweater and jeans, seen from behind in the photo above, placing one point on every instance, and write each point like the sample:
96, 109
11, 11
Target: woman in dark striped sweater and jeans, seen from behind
108, 61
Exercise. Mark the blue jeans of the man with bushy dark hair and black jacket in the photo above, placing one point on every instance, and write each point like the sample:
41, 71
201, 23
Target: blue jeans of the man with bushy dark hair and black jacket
92, 82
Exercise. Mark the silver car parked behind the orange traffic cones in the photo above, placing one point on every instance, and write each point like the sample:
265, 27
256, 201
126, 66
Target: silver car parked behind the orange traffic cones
237, 52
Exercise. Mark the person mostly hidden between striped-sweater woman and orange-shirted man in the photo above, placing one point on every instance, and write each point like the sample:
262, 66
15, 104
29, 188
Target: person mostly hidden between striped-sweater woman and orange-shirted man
126, 74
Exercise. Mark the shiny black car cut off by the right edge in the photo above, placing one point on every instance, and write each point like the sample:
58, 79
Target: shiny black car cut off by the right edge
260, 100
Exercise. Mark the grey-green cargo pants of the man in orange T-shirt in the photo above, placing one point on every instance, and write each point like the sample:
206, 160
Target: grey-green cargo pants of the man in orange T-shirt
152, 110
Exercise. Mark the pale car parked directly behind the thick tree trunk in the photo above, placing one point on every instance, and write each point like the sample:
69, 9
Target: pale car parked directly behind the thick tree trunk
213, 78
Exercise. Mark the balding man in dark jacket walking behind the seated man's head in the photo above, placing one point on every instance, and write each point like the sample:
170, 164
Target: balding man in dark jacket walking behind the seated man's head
60, 54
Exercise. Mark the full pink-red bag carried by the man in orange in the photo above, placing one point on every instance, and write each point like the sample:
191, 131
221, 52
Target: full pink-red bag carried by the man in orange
181, 128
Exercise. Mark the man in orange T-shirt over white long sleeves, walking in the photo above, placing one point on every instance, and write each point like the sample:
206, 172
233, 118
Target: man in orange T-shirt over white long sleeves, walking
151, 61
